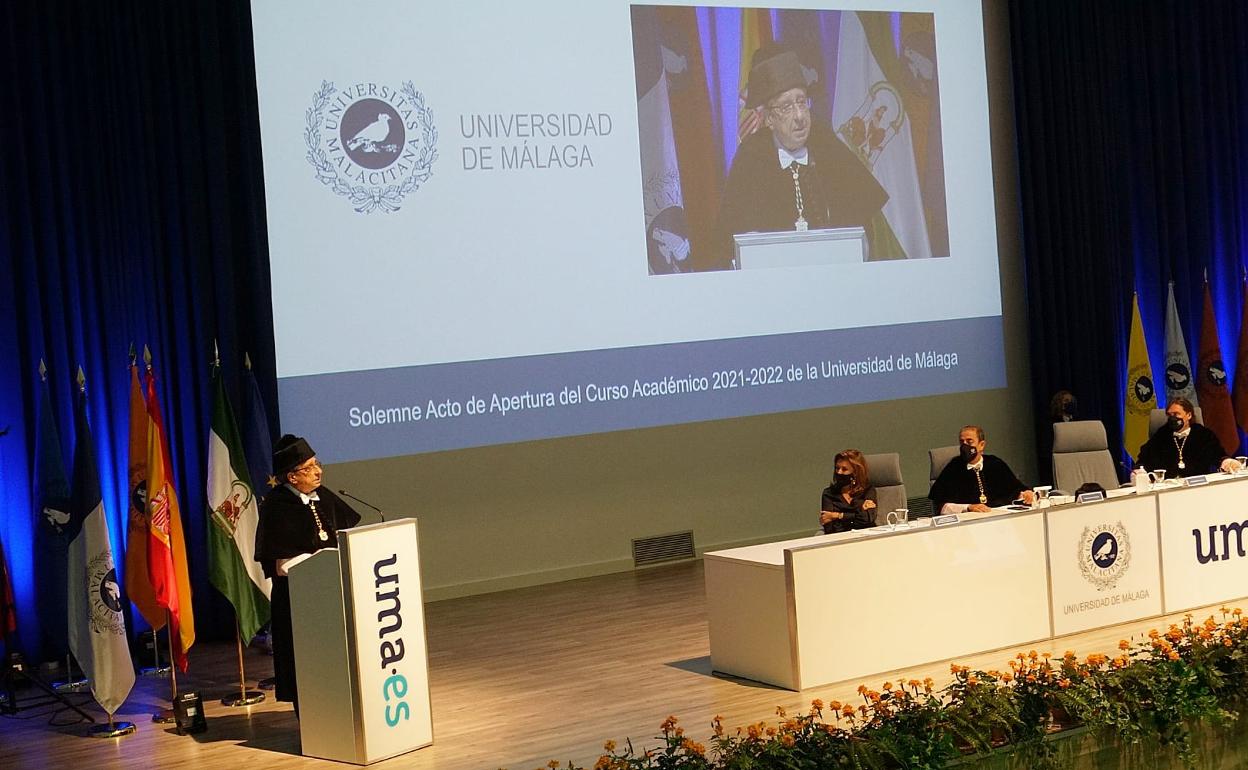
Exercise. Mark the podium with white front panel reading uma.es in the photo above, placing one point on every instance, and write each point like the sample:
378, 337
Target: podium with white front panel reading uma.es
360, 650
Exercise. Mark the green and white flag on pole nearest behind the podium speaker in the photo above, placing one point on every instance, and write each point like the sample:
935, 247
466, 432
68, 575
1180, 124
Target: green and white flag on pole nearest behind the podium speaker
233, 520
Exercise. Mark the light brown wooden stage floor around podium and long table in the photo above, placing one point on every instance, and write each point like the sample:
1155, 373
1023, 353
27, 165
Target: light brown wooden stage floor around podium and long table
519, 680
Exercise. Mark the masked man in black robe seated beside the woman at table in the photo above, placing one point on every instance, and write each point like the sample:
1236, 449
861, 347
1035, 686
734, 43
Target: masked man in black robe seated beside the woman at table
975, 481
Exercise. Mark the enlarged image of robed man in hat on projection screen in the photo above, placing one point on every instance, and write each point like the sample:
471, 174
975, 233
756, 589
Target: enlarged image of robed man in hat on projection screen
797, 175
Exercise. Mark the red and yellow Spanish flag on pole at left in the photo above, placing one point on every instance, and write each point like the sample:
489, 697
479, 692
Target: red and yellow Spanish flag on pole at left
167, 545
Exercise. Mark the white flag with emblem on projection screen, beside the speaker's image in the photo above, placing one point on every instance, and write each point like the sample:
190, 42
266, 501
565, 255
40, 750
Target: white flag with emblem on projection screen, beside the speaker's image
869, 115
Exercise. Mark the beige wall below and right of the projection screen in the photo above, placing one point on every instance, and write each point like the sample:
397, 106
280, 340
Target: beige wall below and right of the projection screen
504, 517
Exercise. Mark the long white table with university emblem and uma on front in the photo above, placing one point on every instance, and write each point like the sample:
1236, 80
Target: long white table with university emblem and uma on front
832, 608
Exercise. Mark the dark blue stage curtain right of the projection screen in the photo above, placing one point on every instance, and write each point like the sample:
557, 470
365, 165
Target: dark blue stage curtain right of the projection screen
1133, 130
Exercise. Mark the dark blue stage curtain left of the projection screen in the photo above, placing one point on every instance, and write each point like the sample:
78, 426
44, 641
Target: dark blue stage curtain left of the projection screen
132, 212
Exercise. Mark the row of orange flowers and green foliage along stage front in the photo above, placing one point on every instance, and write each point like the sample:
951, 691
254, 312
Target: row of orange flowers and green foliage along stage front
1154, 691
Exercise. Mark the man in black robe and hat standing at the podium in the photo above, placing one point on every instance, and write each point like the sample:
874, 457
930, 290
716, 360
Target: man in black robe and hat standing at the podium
299, 517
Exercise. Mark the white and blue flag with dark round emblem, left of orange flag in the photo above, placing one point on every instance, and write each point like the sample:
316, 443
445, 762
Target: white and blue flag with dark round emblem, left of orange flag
98, 631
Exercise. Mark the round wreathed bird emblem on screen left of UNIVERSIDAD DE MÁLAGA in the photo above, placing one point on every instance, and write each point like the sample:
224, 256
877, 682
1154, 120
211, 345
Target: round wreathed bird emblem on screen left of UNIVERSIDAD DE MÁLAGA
371, 143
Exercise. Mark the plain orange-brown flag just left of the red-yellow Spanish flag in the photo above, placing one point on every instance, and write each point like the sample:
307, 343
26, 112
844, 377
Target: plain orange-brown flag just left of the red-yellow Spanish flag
139, 585
